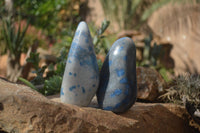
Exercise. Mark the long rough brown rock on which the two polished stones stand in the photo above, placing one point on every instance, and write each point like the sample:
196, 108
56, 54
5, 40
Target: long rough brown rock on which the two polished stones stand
23, 110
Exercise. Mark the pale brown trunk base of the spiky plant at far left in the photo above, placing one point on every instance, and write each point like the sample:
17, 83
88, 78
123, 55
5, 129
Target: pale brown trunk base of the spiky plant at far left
14, 68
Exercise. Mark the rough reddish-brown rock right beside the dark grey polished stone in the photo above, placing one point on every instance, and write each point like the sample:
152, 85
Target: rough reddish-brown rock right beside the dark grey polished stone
150, 84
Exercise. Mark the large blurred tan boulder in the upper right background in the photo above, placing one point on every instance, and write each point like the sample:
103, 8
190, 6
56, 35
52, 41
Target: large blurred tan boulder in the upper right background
180, 25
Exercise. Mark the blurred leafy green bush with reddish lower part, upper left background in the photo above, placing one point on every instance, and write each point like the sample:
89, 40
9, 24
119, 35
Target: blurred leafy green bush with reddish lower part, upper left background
49, 20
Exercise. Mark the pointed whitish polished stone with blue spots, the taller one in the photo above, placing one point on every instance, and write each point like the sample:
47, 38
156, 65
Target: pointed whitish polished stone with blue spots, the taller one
81, 76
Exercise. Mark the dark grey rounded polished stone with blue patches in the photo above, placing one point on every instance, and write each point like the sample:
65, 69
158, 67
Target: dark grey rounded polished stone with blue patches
118, 86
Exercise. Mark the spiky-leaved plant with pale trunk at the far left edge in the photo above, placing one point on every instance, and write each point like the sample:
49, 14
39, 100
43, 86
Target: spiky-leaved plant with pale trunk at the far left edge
12, 41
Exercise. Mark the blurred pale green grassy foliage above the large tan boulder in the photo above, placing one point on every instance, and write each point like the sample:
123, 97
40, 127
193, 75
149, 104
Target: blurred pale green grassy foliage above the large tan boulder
131, 14
